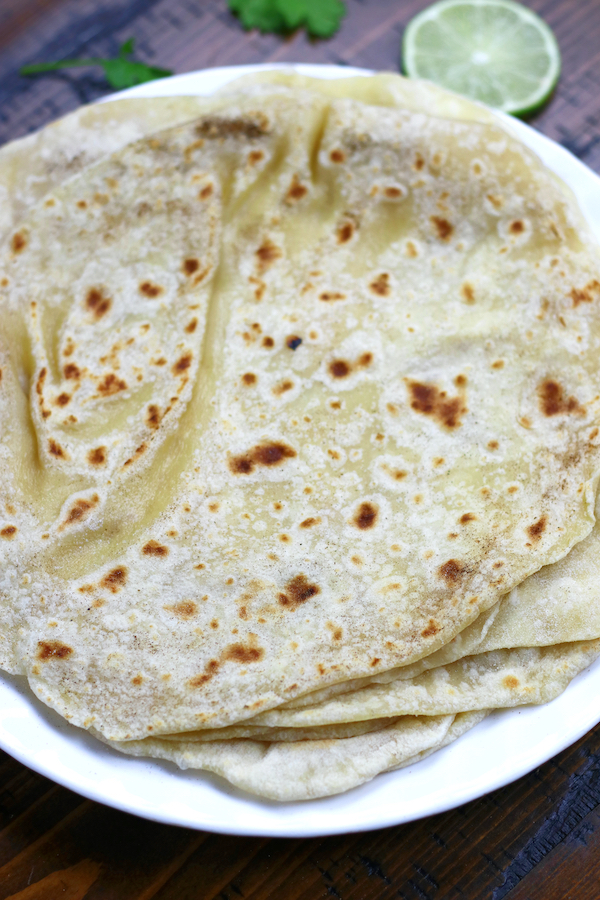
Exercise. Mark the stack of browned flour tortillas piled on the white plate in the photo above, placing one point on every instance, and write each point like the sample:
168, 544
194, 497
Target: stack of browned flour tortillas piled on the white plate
300, 399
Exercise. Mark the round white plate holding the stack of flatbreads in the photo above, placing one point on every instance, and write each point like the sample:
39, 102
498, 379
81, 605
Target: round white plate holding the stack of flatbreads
502, 748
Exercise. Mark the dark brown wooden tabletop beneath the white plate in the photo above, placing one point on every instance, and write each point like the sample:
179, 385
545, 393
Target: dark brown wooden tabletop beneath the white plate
536, 838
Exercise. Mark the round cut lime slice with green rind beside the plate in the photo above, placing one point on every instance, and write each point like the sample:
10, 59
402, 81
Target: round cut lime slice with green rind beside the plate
494, 51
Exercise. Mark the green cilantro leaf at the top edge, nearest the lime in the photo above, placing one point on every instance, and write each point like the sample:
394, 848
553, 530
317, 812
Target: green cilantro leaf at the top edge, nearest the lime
321, 18
